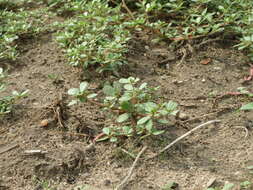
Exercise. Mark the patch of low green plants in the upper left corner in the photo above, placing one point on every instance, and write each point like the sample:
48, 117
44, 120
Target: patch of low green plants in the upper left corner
18, 24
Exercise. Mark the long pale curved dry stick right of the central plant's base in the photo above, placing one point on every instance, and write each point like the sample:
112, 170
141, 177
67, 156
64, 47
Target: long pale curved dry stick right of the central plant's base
183, 136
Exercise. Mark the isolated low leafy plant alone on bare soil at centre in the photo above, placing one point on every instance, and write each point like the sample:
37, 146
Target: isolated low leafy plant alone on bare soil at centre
133, 109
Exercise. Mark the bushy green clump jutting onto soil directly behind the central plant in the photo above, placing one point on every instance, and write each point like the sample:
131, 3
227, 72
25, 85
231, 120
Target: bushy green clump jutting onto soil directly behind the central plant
95, 39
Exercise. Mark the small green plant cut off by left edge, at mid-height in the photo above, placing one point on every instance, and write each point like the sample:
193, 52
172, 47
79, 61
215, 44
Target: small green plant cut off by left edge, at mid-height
6, 102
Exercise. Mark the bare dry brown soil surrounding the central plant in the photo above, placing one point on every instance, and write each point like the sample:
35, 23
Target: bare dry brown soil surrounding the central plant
221, 152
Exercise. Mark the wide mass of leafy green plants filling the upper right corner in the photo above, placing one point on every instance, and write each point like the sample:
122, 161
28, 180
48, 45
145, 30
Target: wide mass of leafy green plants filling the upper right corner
193, 19
